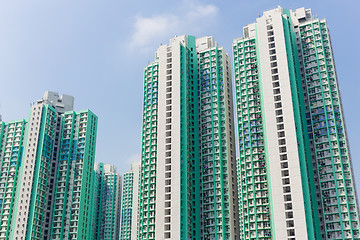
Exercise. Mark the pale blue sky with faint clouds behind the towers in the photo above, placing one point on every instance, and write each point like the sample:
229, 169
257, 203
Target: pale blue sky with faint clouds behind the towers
97, 50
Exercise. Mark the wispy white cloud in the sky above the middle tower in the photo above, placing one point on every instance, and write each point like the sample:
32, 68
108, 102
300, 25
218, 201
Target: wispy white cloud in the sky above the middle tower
193, 18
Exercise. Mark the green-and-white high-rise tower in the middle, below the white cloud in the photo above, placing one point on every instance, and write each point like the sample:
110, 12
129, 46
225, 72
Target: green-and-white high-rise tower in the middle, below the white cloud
187, 177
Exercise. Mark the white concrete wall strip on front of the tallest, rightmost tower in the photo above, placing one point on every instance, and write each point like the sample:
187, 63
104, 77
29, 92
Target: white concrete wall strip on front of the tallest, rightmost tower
276, 193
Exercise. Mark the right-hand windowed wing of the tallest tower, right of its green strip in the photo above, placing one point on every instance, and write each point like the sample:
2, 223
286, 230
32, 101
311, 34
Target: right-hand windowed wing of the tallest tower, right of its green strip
337, 199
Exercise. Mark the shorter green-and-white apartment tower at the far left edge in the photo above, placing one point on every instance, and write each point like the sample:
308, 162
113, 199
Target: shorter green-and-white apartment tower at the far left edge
46, 184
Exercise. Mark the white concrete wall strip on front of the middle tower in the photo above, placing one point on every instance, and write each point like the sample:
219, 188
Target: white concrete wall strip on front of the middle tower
175, 141
